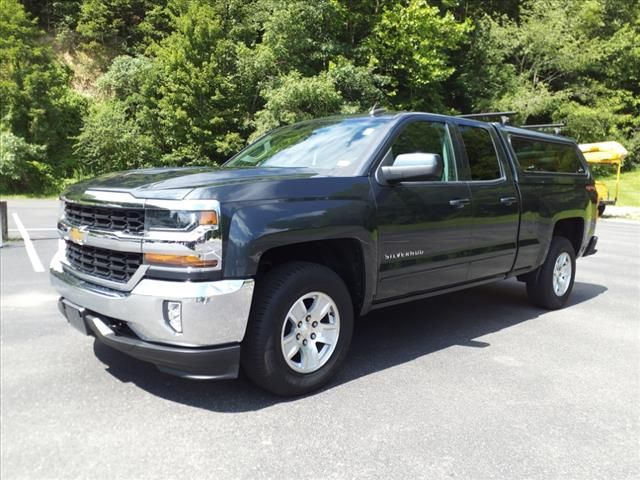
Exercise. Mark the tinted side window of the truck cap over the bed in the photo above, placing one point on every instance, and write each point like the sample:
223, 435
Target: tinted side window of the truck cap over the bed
538, 156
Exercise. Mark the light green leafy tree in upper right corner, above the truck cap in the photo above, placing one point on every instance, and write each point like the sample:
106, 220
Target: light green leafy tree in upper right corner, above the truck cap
575, 62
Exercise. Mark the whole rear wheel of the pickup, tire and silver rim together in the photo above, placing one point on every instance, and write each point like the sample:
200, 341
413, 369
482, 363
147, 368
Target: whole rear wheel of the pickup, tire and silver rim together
551, 285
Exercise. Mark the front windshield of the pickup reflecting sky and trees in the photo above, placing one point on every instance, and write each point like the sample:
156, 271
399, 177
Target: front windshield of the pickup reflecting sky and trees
329, 144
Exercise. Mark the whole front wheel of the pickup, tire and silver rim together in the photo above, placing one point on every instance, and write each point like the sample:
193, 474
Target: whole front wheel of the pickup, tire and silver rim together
299, 330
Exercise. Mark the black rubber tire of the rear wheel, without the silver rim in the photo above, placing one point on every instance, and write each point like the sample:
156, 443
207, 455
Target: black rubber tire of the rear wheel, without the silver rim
540, 285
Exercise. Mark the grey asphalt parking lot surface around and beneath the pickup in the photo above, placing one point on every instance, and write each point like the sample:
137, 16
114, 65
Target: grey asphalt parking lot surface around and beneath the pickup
472, 385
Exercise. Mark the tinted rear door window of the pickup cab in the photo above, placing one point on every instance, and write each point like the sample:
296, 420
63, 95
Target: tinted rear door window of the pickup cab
481, 153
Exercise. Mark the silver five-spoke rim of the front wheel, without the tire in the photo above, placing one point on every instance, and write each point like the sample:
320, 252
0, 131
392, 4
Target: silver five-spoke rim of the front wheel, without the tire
310, 332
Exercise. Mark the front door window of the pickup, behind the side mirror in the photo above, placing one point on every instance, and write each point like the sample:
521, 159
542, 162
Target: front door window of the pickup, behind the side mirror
427, 137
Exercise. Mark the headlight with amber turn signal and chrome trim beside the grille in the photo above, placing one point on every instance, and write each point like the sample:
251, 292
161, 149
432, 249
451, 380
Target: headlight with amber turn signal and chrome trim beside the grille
183, 238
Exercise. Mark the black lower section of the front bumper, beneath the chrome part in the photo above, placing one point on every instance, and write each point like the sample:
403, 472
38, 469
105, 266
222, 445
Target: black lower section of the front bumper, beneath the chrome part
220, 362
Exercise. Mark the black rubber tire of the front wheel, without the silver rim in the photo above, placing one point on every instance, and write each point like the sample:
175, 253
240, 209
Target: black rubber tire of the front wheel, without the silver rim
276, 292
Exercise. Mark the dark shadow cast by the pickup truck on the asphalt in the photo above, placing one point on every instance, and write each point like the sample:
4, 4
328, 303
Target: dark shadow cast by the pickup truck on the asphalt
382, 339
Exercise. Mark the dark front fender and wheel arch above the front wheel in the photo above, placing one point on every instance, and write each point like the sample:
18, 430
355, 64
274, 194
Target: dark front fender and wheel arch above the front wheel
334, 233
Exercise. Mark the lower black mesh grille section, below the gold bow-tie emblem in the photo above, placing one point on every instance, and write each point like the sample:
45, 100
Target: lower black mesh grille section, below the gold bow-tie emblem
106, 264
